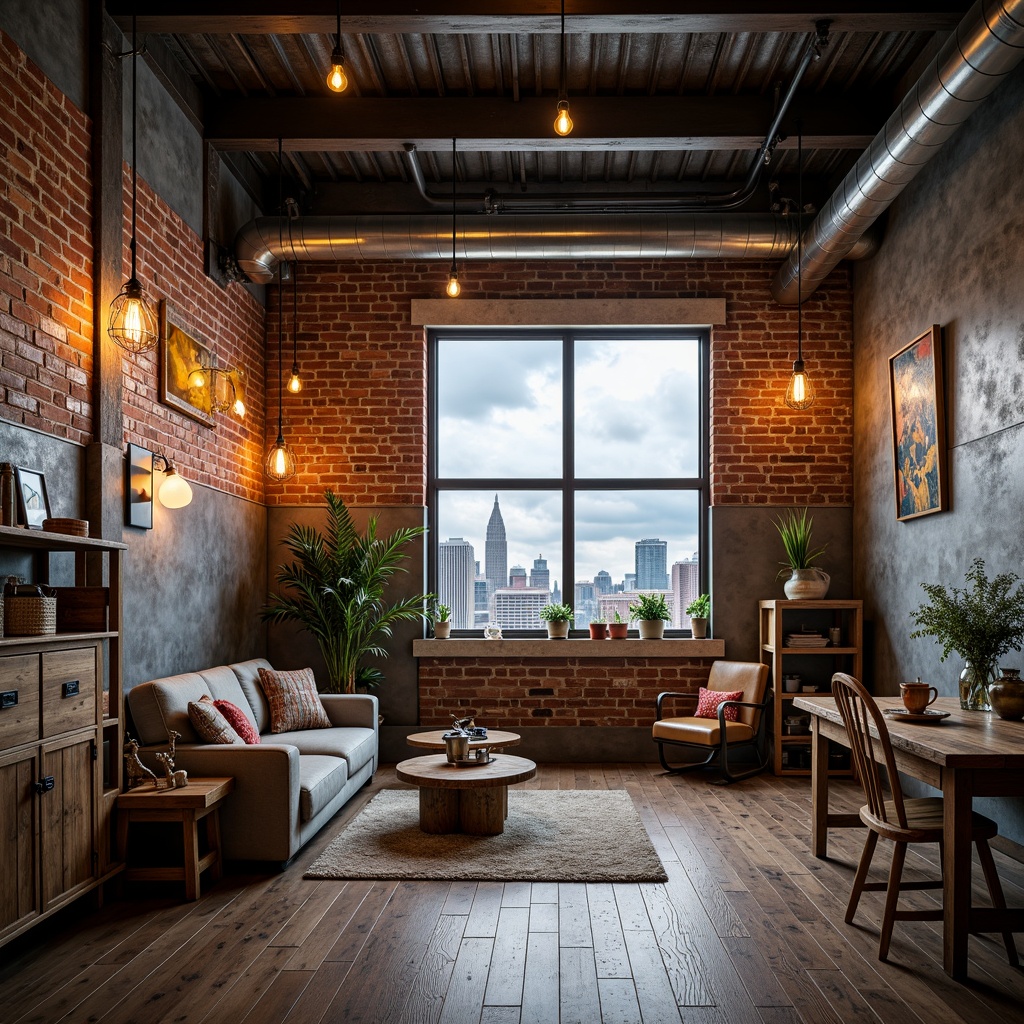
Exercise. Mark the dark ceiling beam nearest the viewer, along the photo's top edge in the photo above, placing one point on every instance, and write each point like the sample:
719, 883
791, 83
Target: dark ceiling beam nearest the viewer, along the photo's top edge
582, 17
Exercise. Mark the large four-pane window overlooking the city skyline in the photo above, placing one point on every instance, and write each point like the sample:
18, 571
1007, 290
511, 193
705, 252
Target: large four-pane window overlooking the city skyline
567, 466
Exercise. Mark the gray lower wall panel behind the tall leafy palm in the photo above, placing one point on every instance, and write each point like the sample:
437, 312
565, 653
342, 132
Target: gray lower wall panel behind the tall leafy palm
289, 648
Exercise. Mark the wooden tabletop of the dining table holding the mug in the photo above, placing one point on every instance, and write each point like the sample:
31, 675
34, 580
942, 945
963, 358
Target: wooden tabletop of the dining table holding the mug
966, 740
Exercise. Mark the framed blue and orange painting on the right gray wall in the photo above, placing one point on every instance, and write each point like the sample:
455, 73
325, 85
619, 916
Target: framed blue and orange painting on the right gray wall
919, 426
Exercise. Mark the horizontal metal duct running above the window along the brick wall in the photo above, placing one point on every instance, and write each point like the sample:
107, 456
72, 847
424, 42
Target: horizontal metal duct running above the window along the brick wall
267, 241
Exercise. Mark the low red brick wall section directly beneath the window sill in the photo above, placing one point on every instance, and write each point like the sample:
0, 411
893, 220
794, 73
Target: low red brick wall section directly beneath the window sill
561, 692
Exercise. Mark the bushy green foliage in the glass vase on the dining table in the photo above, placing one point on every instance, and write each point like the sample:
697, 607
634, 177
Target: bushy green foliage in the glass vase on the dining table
982, 623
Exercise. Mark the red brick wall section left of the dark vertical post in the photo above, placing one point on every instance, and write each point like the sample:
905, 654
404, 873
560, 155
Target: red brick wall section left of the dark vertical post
46, 253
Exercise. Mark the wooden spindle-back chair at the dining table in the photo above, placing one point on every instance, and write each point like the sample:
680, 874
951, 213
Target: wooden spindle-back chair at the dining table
900, 820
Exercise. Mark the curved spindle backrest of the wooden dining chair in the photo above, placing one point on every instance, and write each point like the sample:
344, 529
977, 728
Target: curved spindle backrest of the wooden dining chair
860, 713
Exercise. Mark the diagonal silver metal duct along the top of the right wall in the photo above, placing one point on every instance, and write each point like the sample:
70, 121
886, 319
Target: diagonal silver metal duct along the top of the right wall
986, 48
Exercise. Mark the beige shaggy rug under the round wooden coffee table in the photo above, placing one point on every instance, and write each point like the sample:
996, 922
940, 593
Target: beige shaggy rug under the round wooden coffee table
550, 836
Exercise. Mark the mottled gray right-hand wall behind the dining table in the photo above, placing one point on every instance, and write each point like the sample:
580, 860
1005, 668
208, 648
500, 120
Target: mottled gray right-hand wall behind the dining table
953, 255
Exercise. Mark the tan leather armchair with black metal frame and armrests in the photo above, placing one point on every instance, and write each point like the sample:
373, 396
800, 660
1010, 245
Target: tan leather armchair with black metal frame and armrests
715, 738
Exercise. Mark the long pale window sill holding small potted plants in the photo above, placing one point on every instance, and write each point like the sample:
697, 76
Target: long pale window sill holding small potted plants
631, 649
